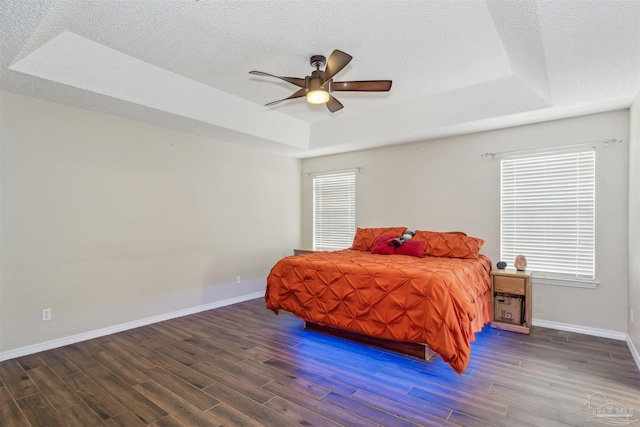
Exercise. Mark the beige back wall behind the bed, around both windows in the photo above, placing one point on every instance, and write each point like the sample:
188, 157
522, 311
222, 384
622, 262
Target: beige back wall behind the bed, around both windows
446, 185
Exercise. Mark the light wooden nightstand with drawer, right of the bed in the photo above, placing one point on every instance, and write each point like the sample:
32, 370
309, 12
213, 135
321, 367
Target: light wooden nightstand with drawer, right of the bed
511, 300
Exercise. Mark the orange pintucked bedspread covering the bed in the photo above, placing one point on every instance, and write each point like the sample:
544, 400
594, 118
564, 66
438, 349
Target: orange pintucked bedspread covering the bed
430, 300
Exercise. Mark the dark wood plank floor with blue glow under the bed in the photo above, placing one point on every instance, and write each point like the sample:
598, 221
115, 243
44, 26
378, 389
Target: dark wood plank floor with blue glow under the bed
244, 366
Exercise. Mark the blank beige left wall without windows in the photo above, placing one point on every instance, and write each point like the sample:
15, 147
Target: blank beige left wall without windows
108, 221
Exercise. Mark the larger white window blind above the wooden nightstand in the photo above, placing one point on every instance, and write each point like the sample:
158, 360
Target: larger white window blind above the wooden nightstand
548, 212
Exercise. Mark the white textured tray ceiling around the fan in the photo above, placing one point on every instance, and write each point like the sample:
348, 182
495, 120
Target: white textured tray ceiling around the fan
456, 66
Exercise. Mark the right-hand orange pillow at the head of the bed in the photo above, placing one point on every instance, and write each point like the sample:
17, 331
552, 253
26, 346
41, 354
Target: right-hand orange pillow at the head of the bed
449, 245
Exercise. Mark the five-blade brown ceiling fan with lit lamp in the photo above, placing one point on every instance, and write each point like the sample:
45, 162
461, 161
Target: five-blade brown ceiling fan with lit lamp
318, 86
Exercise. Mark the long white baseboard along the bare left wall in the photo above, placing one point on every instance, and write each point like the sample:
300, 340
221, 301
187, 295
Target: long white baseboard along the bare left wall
48, 345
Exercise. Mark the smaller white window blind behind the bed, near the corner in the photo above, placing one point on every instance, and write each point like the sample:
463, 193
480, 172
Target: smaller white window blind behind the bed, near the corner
334, 210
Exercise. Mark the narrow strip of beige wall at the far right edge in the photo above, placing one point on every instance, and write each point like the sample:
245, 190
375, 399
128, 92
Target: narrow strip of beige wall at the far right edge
634, 225
